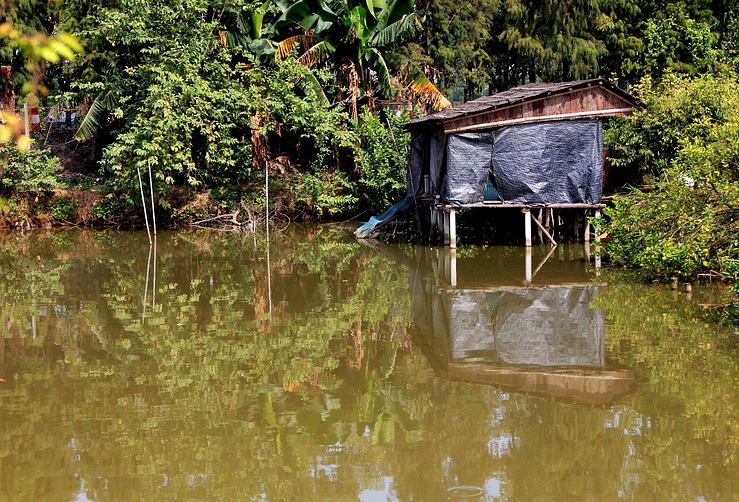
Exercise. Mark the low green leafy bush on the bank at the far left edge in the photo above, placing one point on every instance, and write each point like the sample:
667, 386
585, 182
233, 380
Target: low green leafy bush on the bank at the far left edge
32, 170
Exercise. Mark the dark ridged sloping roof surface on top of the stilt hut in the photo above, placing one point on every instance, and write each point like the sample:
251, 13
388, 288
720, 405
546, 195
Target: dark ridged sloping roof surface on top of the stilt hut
513, 96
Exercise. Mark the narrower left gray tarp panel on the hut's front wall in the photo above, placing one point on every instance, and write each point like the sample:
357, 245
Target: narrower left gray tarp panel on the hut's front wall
469, 158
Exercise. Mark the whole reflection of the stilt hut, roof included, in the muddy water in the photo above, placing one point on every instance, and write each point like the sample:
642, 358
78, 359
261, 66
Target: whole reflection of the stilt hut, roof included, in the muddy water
532, 334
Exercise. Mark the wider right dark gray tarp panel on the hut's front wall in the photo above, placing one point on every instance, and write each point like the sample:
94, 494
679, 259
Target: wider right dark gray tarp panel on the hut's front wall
550, 162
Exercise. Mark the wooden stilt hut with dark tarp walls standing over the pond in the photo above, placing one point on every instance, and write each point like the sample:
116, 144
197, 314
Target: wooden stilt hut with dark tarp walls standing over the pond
535, 147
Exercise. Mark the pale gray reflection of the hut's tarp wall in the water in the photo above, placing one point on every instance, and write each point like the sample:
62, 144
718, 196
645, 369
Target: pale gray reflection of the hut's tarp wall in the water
531, 326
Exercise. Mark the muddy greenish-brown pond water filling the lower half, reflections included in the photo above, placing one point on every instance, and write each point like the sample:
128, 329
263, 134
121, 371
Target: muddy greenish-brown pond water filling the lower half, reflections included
218, 368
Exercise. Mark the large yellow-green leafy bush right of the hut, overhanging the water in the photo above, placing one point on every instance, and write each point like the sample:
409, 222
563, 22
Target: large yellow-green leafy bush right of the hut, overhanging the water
690, 222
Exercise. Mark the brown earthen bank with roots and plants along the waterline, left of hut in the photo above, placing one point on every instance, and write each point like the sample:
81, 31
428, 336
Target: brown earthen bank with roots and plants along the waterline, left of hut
91, 202
